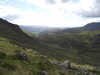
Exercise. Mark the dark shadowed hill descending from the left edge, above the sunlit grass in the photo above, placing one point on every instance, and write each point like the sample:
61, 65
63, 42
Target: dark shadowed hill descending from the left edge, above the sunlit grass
14, 33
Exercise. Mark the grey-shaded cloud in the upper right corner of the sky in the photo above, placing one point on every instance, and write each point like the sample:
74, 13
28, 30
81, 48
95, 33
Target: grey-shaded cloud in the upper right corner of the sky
91, 10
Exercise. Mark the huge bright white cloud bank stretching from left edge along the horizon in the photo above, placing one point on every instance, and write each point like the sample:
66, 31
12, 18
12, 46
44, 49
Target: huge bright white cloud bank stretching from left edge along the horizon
57, 15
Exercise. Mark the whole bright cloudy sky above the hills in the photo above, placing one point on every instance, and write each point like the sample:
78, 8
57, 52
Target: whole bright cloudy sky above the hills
52, 13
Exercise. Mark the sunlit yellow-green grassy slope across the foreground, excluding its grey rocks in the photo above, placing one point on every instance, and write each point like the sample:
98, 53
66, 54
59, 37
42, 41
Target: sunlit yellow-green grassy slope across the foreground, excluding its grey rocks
10, 65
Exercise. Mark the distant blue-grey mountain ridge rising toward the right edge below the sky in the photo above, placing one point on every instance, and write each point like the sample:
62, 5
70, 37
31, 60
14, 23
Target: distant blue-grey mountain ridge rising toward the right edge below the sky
94, 26
